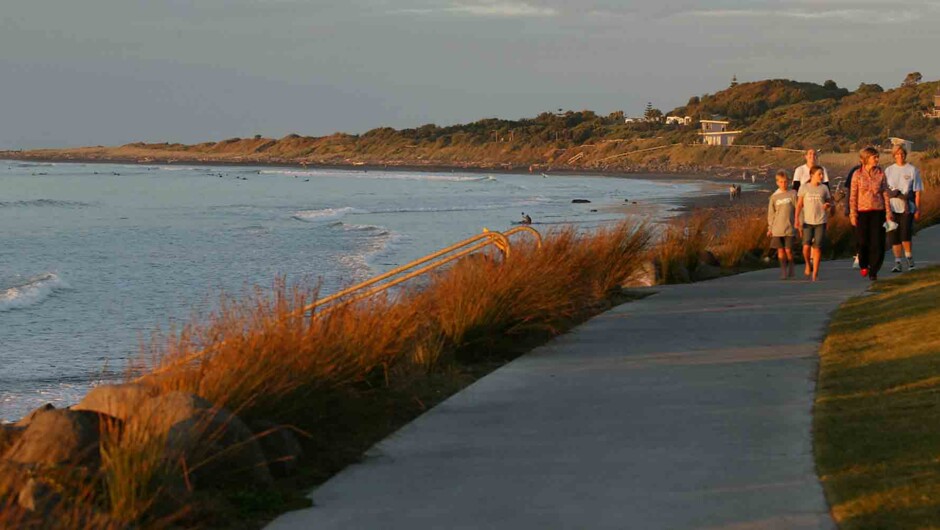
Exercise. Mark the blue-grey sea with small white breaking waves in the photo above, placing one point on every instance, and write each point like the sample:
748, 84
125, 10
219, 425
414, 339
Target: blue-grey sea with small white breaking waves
94, 257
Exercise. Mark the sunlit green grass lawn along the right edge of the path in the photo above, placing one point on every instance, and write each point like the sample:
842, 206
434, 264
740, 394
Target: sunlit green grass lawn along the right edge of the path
876, 434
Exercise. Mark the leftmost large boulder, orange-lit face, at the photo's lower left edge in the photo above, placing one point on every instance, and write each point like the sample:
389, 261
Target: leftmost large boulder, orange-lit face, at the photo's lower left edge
59, 436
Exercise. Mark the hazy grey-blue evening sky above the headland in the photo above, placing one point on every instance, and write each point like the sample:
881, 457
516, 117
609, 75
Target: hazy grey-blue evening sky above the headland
108, 72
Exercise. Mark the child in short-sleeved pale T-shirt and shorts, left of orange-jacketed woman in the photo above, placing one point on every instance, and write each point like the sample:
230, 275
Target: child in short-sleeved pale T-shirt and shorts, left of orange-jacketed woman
814, 203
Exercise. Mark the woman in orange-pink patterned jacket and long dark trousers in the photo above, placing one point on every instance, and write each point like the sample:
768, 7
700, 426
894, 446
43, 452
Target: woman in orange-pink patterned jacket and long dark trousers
868, 198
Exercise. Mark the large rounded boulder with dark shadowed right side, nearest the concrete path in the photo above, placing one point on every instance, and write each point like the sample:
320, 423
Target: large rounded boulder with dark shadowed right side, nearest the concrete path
217, 447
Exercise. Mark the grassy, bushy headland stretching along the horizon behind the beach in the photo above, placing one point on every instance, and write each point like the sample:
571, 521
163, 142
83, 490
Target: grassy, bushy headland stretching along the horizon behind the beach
774, 115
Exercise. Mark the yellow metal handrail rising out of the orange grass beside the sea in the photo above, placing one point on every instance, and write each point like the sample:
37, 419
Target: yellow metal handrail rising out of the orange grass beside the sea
433, 261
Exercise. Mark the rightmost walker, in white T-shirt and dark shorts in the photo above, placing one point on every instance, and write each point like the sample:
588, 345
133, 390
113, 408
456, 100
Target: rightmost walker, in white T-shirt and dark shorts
904, 187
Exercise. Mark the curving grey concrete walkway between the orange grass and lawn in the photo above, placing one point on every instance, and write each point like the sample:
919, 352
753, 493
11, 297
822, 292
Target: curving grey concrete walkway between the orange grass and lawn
688, 409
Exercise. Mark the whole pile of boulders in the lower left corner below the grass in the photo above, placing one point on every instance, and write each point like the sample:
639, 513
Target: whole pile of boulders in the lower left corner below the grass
184, 442
